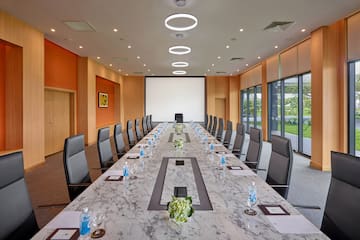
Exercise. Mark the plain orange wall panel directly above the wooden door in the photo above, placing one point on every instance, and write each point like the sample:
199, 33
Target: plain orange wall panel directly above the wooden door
60, 67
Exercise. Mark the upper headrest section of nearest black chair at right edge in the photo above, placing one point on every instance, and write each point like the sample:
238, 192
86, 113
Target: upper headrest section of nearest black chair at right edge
346, 168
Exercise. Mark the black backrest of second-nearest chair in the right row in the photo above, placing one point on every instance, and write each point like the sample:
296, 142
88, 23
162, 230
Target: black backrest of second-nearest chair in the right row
280, 165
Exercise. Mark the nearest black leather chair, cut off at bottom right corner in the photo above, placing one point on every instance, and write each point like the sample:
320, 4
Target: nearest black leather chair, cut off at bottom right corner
342, 208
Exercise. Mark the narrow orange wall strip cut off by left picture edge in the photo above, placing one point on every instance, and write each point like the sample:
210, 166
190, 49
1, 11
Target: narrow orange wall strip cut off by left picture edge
2, 97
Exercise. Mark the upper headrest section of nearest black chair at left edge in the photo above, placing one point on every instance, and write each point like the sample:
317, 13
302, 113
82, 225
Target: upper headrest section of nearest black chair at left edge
11, 168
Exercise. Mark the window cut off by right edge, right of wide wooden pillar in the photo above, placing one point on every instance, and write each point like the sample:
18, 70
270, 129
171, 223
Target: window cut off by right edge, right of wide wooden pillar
354, 108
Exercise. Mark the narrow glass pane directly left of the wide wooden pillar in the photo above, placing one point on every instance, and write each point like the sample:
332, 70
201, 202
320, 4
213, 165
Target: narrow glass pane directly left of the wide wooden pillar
306, 112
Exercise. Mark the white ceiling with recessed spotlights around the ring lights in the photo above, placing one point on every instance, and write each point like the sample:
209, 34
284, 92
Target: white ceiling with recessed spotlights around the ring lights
140, 23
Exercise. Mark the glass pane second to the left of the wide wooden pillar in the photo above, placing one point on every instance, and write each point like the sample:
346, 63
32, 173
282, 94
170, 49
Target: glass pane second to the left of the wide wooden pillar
291, 108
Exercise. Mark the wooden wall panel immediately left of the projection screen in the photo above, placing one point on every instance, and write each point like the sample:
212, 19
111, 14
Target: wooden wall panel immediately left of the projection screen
134, 98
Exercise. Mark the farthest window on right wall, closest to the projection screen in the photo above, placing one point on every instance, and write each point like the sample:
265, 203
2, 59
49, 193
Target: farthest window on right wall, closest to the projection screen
251, 107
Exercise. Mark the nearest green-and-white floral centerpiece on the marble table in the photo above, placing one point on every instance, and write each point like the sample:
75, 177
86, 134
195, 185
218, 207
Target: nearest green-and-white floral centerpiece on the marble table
180, 209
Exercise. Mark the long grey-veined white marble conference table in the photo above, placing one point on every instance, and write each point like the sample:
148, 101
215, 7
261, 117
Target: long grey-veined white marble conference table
136, 208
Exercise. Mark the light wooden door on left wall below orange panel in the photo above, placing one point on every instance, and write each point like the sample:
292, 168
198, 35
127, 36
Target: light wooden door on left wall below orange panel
57, 120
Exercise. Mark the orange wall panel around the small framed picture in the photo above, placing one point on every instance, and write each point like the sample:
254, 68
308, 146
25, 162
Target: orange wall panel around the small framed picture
105, 116
